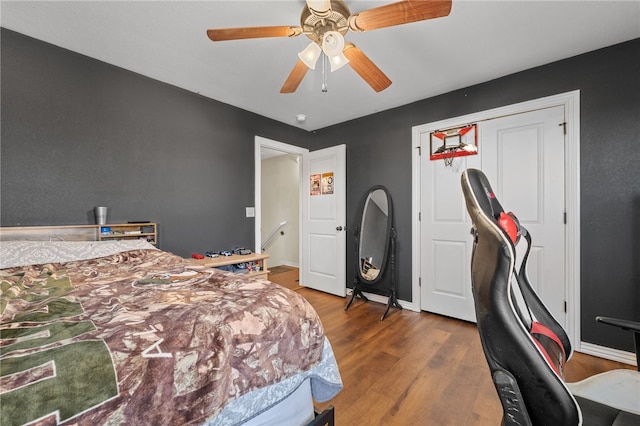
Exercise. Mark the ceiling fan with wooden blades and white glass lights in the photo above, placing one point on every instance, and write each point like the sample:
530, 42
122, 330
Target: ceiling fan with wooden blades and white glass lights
326, 22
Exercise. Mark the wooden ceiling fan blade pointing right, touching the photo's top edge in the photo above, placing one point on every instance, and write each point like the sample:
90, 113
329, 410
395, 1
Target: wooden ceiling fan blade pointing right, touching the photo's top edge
402, 12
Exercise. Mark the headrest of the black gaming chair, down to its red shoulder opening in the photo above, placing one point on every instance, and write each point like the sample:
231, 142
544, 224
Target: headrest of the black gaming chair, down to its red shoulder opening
487, 202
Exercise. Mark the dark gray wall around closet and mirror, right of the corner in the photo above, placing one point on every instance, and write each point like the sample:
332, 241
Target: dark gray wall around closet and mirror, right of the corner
609, 84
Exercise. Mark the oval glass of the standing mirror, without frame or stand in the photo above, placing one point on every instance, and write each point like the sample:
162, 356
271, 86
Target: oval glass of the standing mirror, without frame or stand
374, 234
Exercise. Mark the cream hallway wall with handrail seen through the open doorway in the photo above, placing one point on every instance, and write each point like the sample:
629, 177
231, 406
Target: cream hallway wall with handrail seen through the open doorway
280, 201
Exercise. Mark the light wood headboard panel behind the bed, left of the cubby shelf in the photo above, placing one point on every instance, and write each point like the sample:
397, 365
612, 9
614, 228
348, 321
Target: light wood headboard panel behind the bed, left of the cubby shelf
50, 233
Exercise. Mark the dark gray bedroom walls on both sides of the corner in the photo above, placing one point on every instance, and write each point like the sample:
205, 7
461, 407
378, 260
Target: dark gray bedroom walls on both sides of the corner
77, 133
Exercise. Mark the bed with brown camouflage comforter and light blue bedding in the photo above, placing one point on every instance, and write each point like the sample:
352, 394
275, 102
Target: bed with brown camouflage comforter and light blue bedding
120, 332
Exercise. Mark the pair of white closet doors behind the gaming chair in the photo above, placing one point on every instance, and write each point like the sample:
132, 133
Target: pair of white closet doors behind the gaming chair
523, 158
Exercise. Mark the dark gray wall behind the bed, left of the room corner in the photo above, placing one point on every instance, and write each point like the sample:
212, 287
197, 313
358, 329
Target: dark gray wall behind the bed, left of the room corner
77, 133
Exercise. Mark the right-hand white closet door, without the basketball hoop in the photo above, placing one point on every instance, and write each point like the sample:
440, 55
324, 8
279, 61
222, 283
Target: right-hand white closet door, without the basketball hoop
523, 158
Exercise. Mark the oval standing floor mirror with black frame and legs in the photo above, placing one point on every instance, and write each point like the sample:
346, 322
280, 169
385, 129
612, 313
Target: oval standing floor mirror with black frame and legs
375, 248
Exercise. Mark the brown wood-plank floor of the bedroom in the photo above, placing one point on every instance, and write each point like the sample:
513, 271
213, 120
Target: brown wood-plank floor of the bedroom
414, 368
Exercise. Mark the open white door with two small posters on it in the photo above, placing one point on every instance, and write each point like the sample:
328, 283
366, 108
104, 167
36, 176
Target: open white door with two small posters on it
323, 222
